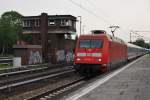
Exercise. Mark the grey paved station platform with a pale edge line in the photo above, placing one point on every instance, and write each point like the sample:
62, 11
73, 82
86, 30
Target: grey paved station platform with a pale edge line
132, 82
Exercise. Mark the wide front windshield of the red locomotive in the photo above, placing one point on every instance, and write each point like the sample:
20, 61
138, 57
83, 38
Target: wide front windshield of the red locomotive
90, 44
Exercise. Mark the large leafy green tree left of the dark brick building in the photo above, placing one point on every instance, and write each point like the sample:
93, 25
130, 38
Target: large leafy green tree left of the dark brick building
10, 30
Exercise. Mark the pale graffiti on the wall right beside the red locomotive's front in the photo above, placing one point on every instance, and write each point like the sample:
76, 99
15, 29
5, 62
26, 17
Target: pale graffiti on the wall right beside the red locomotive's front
64, 56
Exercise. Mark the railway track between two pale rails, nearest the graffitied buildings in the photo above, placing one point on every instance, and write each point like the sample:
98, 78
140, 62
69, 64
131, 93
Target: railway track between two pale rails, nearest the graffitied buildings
7, 79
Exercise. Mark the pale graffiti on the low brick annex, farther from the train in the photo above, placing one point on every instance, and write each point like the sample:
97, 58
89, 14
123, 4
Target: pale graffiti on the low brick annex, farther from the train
35, 57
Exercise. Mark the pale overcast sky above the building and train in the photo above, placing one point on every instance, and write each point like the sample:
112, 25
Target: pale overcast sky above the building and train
96, 14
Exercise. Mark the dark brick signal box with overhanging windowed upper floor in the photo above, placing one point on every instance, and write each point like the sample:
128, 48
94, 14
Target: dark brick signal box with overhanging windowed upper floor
53, 32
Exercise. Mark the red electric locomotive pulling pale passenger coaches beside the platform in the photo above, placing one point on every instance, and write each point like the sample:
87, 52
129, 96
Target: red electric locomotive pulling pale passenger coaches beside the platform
100, 52
